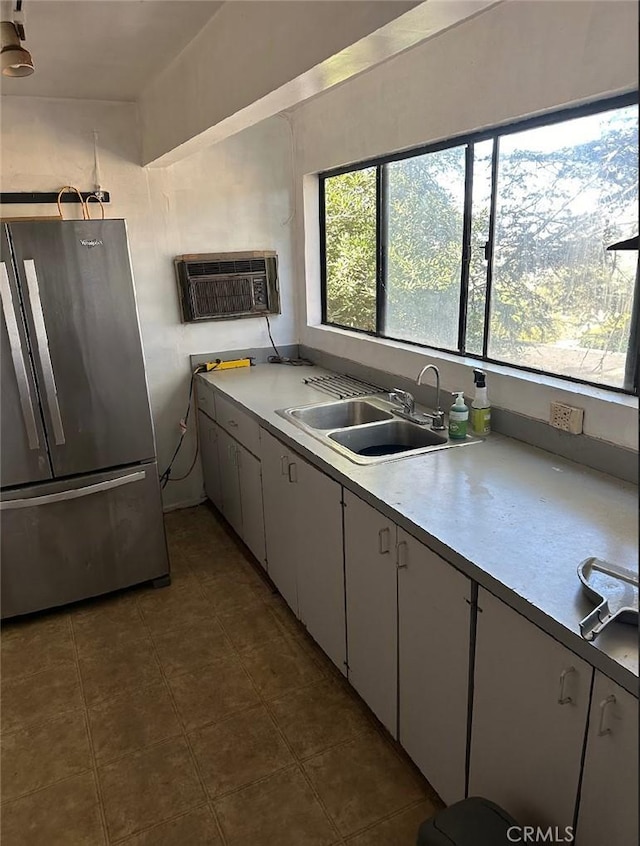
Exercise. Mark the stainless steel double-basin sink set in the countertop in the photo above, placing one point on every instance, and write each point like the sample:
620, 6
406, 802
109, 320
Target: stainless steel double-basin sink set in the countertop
366, 430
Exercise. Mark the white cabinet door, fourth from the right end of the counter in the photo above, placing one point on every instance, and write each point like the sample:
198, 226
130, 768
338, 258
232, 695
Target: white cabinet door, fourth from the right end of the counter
372, 607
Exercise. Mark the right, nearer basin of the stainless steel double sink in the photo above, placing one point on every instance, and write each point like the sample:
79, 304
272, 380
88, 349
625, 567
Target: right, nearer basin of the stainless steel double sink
389, 438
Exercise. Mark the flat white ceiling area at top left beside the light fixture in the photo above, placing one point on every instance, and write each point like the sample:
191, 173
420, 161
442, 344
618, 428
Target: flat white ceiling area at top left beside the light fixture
104, 49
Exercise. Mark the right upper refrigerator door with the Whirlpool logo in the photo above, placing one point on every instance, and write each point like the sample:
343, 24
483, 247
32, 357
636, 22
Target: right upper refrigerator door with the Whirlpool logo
77, 289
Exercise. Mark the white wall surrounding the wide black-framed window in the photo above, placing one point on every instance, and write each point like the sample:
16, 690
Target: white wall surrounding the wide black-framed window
517, 59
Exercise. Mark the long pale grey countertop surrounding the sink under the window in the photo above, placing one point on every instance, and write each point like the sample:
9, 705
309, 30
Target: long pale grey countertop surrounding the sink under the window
516, 519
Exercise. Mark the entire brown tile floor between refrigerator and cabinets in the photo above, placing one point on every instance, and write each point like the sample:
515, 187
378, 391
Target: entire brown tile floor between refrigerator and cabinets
196, 714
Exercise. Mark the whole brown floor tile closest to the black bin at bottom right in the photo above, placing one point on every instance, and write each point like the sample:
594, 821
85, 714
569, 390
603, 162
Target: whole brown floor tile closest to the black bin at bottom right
363, 781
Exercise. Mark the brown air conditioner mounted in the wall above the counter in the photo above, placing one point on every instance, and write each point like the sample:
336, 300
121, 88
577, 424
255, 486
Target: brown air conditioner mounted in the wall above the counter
223, 286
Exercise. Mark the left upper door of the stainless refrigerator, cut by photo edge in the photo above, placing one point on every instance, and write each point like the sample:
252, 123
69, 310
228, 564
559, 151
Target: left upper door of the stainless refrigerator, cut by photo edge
23, 447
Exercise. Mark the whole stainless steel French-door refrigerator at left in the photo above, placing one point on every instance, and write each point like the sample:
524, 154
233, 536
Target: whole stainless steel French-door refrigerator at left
80, 506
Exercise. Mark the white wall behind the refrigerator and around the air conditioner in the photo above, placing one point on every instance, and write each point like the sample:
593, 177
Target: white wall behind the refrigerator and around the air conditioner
236, 195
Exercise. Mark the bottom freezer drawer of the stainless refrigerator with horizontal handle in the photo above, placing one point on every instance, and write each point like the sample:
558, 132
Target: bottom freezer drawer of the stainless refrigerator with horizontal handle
65, 541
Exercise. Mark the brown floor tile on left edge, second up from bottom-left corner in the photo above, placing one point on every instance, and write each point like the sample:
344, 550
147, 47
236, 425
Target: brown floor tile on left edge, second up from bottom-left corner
44, 753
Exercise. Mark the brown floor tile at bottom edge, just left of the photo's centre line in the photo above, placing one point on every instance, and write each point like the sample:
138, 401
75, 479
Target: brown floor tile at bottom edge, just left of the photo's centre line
279, 811
